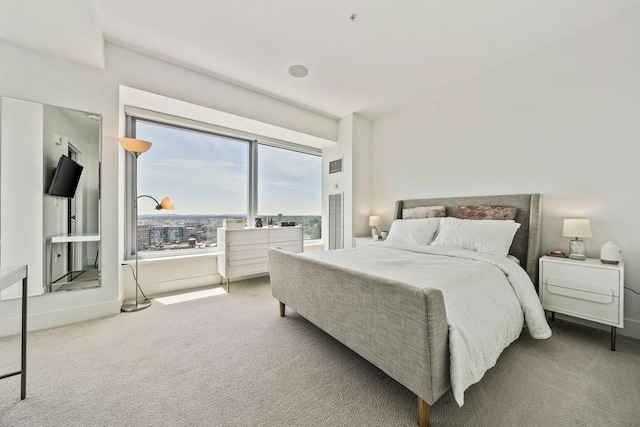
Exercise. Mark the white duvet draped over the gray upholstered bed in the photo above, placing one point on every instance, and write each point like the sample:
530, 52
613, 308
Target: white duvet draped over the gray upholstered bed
487, 299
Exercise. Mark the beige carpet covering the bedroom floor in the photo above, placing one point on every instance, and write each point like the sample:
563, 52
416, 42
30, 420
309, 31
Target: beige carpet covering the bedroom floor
230, 360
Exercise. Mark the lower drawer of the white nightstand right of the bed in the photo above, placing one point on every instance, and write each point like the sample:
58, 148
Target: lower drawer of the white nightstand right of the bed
586, 305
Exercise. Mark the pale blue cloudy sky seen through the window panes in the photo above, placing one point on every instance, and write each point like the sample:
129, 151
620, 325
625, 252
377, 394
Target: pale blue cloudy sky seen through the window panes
205, 174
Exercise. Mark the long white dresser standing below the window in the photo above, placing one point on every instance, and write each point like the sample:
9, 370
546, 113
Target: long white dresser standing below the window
246, 251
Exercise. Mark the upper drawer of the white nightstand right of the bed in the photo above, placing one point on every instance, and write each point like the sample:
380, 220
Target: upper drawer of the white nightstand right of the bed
587, 279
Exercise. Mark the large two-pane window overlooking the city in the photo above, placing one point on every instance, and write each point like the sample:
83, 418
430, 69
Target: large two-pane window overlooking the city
211, 177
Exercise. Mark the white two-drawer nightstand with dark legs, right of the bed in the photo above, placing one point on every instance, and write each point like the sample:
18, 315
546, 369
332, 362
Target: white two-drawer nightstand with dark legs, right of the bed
586, 289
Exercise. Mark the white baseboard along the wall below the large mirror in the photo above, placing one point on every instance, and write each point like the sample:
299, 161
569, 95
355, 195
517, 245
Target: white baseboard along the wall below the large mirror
67, 316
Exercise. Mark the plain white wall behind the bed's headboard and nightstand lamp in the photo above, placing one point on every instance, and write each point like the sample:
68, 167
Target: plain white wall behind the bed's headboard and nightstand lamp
563, 122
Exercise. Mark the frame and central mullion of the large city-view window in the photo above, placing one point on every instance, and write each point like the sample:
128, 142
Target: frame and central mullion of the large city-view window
134, 114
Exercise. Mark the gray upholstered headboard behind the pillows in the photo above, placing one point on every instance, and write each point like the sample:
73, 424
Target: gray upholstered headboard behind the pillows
526, 243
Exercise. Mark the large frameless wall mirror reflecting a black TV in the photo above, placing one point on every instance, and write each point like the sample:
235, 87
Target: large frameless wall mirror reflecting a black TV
50, 196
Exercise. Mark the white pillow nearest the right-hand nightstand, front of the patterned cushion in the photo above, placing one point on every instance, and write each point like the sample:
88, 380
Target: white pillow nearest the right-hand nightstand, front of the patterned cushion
487, 236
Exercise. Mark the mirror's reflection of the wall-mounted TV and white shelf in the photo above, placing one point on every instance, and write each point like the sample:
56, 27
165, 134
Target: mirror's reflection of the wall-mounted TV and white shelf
72, 199
